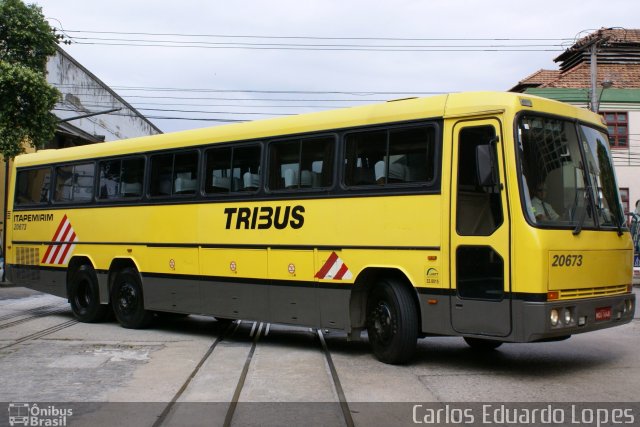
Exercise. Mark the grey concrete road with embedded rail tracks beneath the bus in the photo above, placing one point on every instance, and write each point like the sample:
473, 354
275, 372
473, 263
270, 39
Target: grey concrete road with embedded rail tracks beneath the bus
197, 371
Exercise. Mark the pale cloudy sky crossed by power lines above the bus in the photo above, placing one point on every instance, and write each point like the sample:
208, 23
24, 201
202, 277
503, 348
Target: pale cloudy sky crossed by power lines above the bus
219, 61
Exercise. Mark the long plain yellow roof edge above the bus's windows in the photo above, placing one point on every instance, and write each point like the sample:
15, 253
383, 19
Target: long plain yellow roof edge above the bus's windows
441, 106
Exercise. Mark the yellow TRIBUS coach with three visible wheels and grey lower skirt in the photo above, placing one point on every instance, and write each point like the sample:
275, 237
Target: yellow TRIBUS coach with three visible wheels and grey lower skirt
491, 216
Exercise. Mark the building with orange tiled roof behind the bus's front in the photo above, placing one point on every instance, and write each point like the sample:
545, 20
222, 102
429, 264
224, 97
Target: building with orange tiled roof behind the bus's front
602, 72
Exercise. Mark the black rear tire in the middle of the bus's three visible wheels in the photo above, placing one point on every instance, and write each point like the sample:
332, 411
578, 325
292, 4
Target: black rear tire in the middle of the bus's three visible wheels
127, 300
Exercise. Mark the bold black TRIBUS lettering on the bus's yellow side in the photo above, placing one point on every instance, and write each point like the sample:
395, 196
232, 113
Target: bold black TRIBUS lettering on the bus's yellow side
265, 217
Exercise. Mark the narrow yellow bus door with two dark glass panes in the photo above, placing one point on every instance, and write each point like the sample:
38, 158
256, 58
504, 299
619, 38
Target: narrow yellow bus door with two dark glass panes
479, 230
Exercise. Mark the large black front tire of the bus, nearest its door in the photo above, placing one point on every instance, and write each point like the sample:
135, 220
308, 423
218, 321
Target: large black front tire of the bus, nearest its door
392, 322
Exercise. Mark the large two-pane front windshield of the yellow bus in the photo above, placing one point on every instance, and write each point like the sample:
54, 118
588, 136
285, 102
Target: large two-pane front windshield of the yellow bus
565, 185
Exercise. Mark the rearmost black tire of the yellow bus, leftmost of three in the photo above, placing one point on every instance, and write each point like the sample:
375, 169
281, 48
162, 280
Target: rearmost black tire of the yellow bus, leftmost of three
84, 296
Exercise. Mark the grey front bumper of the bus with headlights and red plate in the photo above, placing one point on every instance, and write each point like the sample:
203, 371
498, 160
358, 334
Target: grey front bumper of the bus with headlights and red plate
536, 321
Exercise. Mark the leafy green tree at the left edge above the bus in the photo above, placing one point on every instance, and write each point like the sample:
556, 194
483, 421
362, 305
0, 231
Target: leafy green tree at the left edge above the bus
26, 99
